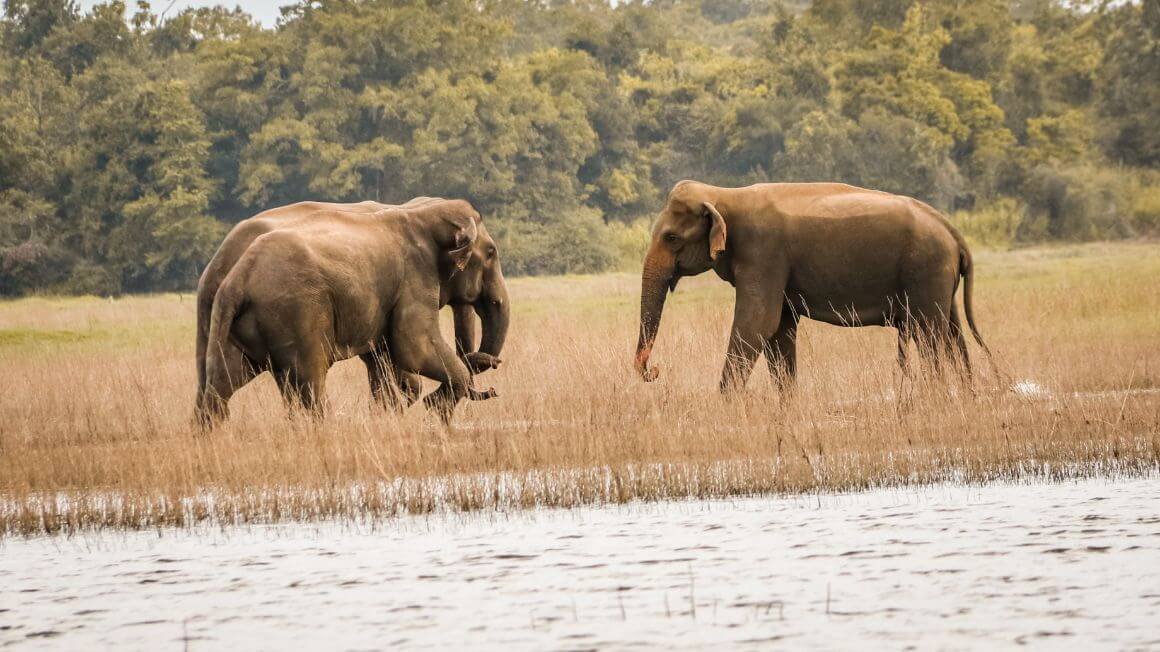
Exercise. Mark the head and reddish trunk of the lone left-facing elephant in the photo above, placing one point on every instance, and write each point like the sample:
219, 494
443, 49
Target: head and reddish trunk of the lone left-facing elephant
688, 237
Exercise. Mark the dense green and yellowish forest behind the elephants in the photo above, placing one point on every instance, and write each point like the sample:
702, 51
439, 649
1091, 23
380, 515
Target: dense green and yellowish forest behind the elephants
130, 142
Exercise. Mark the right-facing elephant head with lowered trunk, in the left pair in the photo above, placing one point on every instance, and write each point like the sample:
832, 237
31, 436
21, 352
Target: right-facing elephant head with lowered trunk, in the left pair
474, 286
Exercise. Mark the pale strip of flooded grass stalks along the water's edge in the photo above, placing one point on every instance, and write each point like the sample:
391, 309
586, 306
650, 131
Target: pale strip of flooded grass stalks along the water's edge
200, 513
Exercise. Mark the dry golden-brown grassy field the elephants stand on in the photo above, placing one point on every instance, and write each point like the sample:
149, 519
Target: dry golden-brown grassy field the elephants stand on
96, 416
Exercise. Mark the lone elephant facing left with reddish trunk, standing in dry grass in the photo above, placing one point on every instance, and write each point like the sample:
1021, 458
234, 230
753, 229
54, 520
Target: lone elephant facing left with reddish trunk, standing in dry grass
831, 252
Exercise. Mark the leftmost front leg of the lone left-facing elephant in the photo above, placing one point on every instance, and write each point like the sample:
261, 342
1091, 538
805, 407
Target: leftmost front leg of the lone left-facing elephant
756, 320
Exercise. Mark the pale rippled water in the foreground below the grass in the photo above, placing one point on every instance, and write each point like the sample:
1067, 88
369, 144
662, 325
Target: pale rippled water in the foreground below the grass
948, 567
